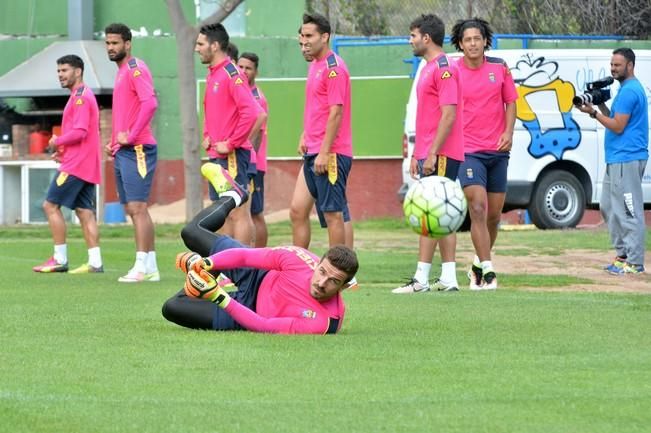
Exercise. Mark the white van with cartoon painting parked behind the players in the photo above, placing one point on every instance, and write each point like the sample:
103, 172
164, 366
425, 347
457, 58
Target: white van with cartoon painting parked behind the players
557, 161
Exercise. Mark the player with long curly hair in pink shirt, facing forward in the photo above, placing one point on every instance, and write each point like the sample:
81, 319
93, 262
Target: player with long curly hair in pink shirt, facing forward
489, 97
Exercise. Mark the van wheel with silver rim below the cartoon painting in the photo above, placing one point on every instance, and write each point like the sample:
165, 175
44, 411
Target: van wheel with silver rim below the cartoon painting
558, 201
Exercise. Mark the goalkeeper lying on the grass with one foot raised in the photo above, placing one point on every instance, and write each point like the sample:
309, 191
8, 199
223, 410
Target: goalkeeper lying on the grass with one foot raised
284, 290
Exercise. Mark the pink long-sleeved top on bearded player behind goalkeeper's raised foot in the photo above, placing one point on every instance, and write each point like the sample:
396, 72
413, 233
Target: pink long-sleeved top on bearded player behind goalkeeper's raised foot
229, 108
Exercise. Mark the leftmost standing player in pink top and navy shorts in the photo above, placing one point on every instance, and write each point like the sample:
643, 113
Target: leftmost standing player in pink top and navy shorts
78, 150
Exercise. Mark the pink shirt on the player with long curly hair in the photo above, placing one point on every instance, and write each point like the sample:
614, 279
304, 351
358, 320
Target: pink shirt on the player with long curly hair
485, 91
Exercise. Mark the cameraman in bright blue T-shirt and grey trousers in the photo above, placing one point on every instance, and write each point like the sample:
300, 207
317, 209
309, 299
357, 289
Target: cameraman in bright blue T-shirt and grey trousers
627, 152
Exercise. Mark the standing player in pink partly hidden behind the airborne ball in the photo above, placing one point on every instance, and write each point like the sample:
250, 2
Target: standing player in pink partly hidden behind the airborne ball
439, 142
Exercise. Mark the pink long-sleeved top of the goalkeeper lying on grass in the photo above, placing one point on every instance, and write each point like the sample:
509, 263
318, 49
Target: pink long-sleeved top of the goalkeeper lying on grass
284, 304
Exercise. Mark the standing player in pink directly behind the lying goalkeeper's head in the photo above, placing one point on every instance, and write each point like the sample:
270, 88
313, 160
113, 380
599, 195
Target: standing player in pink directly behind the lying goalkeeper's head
326, 142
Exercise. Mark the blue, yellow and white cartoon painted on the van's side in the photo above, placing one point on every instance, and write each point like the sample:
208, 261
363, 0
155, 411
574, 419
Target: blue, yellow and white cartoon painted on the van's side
552, 133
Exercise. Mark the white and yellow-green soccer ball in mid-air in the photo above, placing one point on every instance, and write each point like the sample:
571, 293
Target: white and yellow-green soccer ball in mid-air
435, 206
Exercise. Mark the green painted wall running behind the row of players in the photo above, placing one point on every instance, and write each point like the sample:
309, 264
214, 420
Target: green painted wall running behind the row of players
378, 104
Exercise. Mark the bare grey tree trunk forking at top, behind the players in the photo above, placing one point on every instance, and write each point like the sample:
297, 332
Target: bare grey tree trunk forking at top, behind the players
186, 35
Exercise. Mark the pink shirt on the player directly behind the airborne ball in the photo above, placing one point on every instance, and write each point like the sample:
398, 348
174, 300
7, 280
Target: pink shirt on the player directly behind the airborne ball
439, 84
